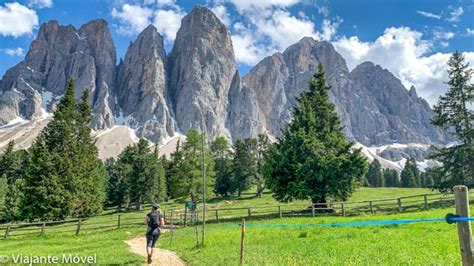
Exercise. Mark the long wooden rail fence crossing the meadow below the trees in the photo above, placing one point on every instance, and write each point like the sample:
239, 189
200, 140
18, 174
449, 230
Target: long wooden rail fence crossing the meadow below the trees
183, 217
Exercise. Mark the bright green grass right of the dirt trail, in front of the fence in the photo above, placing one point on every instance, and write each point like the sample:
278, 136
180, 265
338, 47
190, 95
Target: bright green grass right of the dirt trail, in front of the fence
415, 244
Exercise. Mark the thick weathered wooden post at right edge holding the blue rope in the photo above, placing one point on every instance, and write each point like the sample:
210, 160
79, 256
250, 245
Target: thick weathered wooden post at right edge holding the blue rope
464, 228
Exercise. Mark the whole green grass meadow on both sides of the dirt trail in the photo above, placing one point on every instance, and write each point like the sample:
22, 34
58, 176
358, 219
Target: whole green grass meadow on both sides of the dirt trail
434, 243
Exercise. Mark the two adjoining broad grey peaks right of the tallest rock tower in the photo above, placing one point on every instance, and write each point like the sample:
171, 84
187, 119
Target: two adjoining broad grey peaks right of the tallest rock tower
373, 105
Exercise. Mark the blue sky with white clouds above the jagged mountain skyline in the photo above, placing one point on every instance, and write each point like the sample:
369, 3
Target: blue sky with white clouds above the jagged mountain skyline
413, 39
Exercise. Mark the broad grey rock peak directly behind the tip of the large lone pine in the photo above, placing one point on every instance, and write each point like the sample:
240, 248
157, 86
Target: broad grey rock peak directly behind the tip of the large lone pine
277, 80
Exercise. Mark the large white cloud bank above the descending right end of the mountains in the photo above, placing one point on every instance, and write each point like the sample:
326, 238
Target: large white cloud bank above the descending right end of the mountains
404, 53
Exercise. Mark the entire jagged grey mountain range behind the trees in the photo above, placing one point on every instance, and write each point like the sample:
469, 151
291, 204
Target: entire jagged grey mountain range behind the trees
160, 95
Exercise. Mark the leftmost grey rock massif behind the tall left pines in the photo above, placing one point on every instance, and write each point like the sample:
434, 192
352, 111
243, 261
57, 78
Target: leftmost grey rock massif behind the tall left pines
58, 54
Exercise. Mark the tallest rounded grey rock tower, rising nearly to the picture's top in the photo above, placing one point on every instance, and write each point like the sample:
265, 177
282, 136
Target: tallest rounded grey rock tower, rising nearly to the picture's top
202, 67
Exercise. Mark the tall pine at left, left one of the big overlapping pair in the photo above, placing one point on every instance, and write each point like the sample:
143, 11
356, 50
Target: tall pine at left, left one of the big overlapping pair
50, 184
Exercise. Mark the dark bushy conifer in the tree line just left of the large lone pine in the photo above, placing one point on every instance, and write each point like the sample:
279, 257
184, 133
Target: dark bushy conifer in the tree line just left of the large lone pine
244, 165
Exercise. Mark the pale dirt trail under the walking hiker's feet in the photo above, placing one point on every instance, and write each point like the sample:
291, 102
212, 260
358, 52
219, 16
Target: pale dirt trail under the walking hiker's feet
161, 257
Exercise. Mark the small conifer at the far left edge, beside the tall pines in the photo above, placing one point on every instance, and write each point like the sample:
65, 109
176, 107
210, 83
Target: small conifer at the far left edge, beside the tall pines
12, 164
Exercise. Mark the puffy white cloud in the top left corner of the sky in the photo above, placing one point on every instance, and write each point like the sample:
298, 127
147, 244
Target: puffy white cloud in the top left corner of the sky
17, 20
